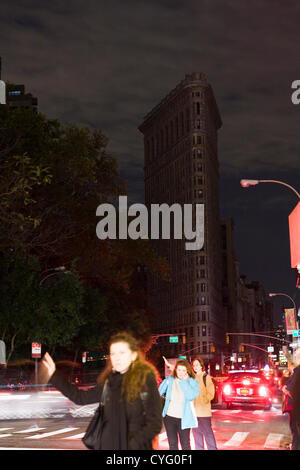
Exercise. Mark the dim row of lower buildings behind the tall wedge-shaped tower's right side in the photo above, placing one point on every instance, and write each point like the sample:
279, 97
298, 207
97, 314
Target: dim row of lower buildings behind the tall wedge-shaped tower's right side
247, 307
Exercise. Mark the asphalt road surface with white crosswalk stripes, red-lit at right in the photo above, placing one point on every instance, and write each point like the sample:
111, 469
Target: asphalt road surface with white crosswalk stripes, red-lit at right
237, 429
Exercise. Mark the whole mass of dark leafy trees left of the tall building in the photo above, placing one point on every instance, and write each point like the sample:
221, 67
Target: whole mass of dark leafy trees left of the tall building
52, 179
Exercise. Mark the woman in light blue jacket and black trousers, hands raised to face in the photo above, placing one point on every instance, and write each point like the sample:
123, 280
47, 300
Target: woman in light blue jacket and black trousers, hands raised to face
179, 413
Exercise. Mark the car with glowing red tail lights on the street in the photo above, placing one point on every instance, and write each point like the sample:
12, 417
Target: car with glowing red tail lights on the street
247, 387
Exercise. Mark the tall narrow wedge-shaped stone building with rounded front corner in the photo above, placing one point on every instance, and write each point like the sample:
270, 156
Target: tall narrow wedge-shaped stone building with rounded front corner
181, 166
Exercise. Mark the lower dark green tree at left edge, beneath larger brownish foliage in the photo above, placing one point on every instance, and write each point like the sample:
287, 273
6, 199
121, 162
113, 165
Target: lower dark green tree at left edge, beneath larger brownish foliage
49, 313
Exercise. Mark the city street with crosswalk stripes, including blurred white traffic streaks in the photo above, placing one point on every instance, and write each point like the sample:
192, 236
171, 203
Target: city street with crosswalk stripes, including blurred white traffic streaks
62, 424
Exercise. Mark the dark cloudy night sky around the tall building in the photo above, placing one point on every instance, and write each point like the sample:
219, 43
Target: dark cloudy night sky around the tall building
106, 64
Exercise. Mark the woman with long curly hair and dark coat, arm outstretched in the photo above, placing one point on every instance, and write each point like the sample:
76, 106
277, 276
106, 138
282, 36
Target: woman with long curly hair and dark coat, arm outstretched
132, 406
